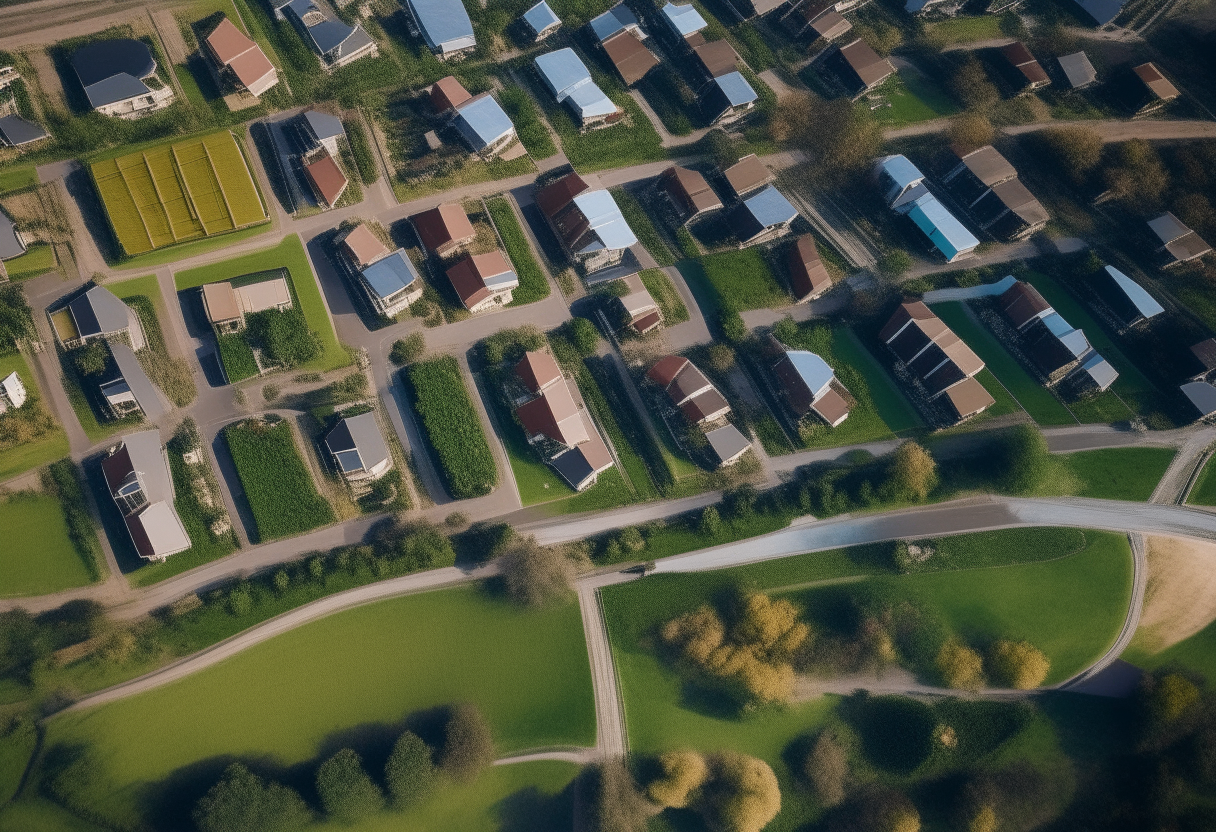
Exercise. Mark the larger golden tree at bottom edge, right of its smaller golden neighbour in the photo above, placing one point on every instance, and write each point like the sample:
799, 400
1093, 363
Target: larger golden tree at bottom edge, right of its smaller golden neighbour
744, 795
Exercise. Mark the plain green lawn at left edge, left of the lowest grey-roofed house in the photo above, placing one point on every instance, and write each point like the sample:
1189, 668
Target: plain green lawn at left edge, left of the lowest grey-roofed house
38, 556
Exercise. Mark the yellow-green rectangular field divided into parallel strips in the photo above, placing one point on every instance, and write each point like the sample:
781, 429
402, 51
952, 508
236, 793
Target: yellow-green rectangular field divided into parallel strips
177, 193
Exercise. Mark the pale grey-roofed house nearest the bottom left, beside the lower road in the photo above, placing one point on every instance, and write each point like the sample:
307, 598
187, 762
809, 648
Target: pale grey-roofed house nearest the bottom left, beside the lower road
137, 474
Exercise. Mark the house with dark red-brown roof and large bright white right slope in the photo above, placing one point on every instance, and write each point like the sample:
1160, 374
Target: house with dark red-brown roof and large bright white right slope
588, 222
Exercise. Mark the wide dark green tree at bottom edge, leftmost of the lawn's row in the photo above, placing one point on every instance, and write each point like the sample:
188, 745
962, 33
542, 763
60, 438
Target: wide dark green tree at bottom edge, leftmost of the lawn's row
243, 802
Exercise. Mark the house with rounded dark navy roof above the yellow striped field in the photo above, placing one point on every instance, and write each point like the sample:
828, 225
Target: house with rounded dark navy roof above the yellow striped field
115, 76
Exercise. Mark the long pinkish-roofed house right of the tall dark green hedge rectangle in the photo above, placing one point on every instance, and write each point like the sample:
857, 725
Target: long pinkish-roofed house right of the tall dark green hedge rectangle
551, 419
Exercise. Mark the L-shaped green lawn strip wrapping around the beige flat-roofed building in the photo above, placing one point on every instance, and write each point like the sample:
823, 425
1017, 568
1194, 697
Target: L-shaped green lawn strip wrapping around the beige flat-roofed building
289, 255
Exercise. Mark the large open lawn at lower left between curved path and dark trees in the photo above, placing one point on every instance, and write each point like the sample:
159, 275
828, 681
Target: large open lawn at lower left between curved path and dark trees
357, 676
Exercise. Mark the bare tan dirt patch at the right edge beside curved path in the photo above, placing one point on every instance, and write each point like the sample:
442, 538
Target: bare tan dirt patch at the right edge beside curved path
1180, 599
